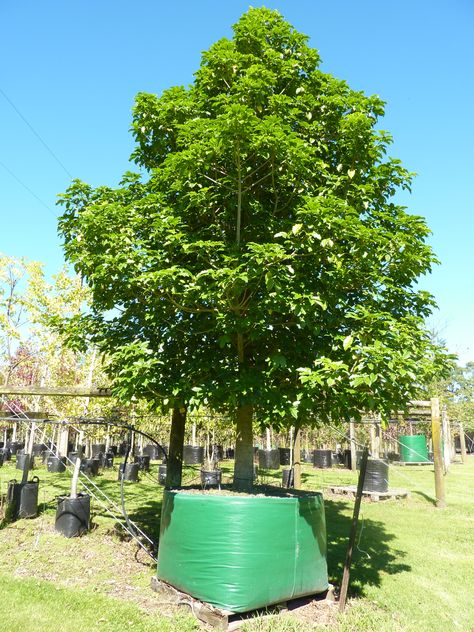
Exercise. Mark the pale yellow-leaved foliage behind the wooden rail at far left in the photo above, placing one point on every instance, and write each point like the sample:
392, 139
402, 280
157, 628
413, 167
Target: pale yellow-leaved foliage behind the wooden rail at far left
32, 352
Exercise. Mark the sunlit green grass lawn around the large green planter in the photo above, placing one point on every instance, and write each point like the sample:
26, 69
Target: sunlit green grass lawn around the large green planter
412, 569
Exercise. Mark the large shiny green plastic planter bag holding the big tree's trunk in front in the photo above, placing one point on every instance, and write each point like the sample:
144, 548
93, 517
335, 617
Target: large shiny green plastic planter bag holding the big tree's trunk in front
243, 552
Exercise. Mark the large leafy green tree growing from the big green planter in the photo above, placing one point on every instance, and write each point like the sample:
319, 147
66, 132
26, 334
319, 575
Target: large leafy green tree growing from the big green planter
263, 266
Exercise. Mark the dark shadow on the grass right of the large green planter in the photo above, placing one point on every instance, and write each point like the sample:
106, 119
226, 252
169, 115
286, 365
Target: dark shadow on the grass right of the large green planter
373, 555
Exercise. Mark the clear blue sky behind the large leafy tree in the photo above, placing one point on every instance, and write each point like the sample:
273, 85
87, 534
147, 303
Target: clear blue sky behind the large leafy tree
72, 69
